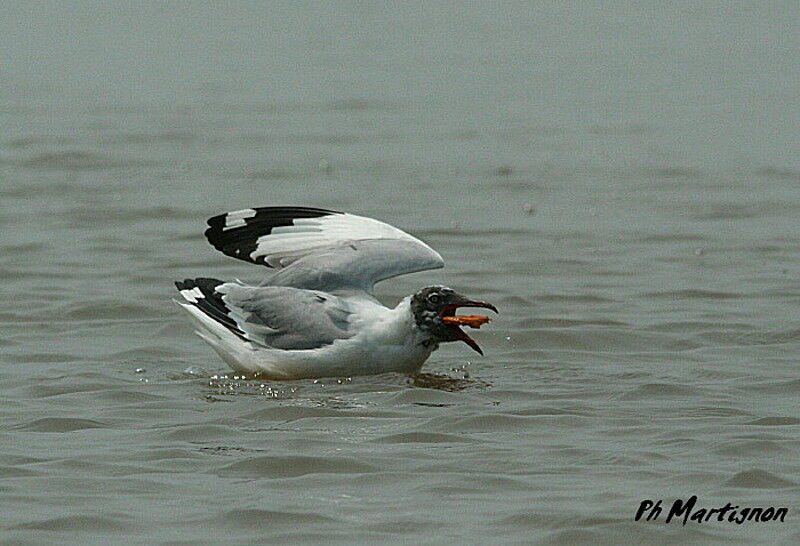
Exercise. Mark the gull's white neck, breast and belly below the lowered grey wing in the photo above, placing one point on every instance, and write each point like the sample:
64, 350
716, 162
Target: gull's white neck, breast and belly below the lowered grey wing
388, 340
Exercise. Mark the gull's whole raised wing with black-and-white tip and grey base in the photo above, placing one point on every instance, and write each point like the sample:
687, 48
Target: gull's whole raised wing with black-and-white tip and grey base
320, 249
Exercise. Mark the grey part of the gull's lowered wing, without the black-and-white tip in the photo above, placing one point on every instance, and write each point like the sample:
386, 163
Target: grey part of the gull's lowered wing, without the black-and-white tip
286, 318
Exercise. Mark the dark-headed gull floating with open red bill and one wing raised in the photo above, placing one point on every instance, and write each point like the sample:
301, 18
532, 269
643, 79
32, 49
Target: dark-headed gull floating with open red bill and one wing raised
316, 314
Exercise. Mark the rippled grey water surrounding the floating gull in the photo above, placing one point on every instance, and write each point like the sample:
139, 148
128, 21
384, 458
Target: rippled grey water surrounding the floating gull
621, 179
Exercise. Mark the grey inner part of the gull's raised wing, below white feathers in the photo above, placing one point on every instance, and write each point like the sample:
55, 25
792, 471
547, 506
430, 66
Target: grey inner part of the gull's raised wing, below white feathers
357, 265
